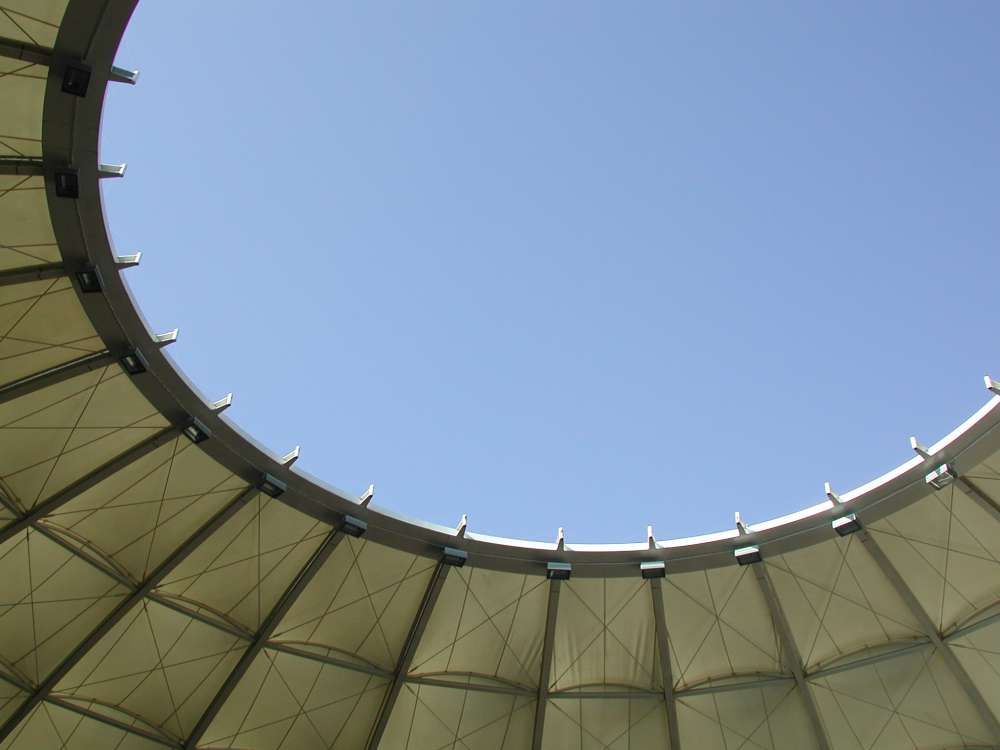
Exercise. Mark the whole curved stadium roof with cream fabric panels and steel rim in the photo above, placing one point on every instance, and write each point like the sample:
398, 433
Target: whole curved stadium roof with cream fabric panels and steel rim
166, 582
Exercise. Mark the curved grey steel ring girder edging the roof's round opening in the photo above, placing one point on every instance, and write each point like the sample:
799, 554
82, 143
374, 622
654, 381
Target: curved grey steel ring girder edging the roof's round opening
70, 136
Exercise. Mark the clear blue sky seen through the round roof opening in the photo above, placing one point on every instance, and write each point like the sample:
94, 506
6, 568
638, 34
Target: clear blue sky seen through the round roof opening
581, 264
